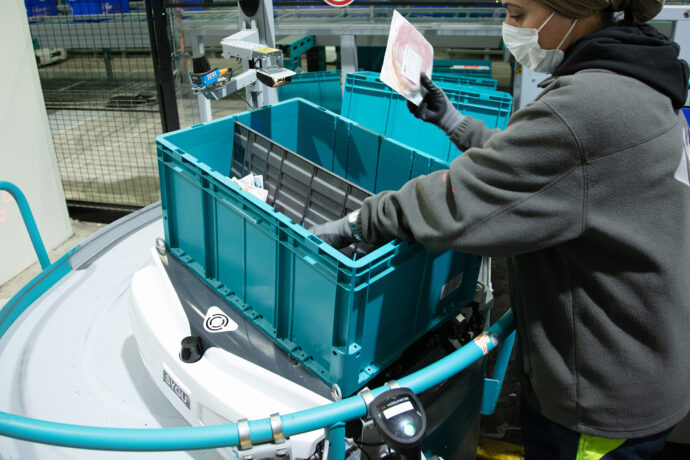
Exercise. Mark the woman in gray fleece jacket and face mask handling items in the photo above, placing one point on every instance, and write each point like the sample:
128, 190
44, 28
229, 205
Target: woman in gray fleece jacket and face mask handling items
586, 193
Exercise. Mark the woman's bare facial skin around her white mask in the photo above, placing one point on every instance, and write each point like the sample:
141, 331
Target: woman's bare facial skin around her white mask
529, 14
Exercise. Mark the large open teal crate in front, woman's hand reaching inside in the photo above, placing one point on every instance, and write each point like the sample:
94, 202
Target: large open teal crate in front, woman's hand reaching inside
344, 319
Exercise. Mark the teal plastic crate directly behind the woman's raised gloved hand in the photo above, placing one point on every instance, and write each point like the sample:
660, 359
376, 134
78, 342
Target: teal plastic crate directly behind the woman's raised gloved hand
370, 102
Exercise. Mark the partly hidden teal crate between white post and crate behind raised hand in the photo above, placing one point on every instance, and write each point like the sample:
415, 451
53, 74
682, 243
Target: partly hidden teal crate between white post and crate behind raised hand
321, 88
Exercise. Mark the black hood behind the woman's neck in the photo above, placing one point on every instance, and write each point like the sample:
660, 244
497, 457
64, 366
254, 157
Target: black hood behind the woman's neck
637, 51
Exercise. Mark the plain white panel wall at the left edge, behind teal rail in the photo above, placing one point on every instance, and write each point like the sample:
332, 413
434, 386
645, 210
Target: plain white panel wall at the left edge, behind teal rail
27, 156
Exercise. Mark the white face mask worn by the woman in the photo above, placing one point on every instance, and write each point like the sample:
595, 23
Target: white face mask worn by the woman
524, 45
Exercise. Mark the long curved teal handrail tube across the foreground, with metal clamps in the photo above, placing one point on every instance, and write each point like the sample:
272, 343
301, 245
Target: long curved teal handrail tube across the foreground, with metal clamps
209, 437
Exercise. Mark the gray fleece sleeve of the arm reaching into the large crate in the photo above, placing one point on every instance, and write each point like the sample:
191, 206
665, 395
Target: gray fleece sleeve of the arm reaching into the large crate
523, 189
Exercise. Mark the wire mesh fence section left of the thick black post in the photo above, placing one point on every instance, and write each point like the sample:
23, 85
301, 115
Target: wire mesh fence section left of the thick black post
99, 88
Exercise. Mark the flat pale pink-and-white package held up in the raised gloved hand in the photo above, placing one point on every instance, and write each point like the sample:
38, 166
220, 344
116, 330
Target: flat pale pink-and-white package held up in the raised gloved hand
408, 54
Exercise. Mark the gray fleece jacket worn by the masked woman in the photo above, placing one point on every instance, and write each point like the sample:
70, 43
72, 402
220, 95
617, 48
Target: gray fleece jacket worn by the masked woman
579, 191
